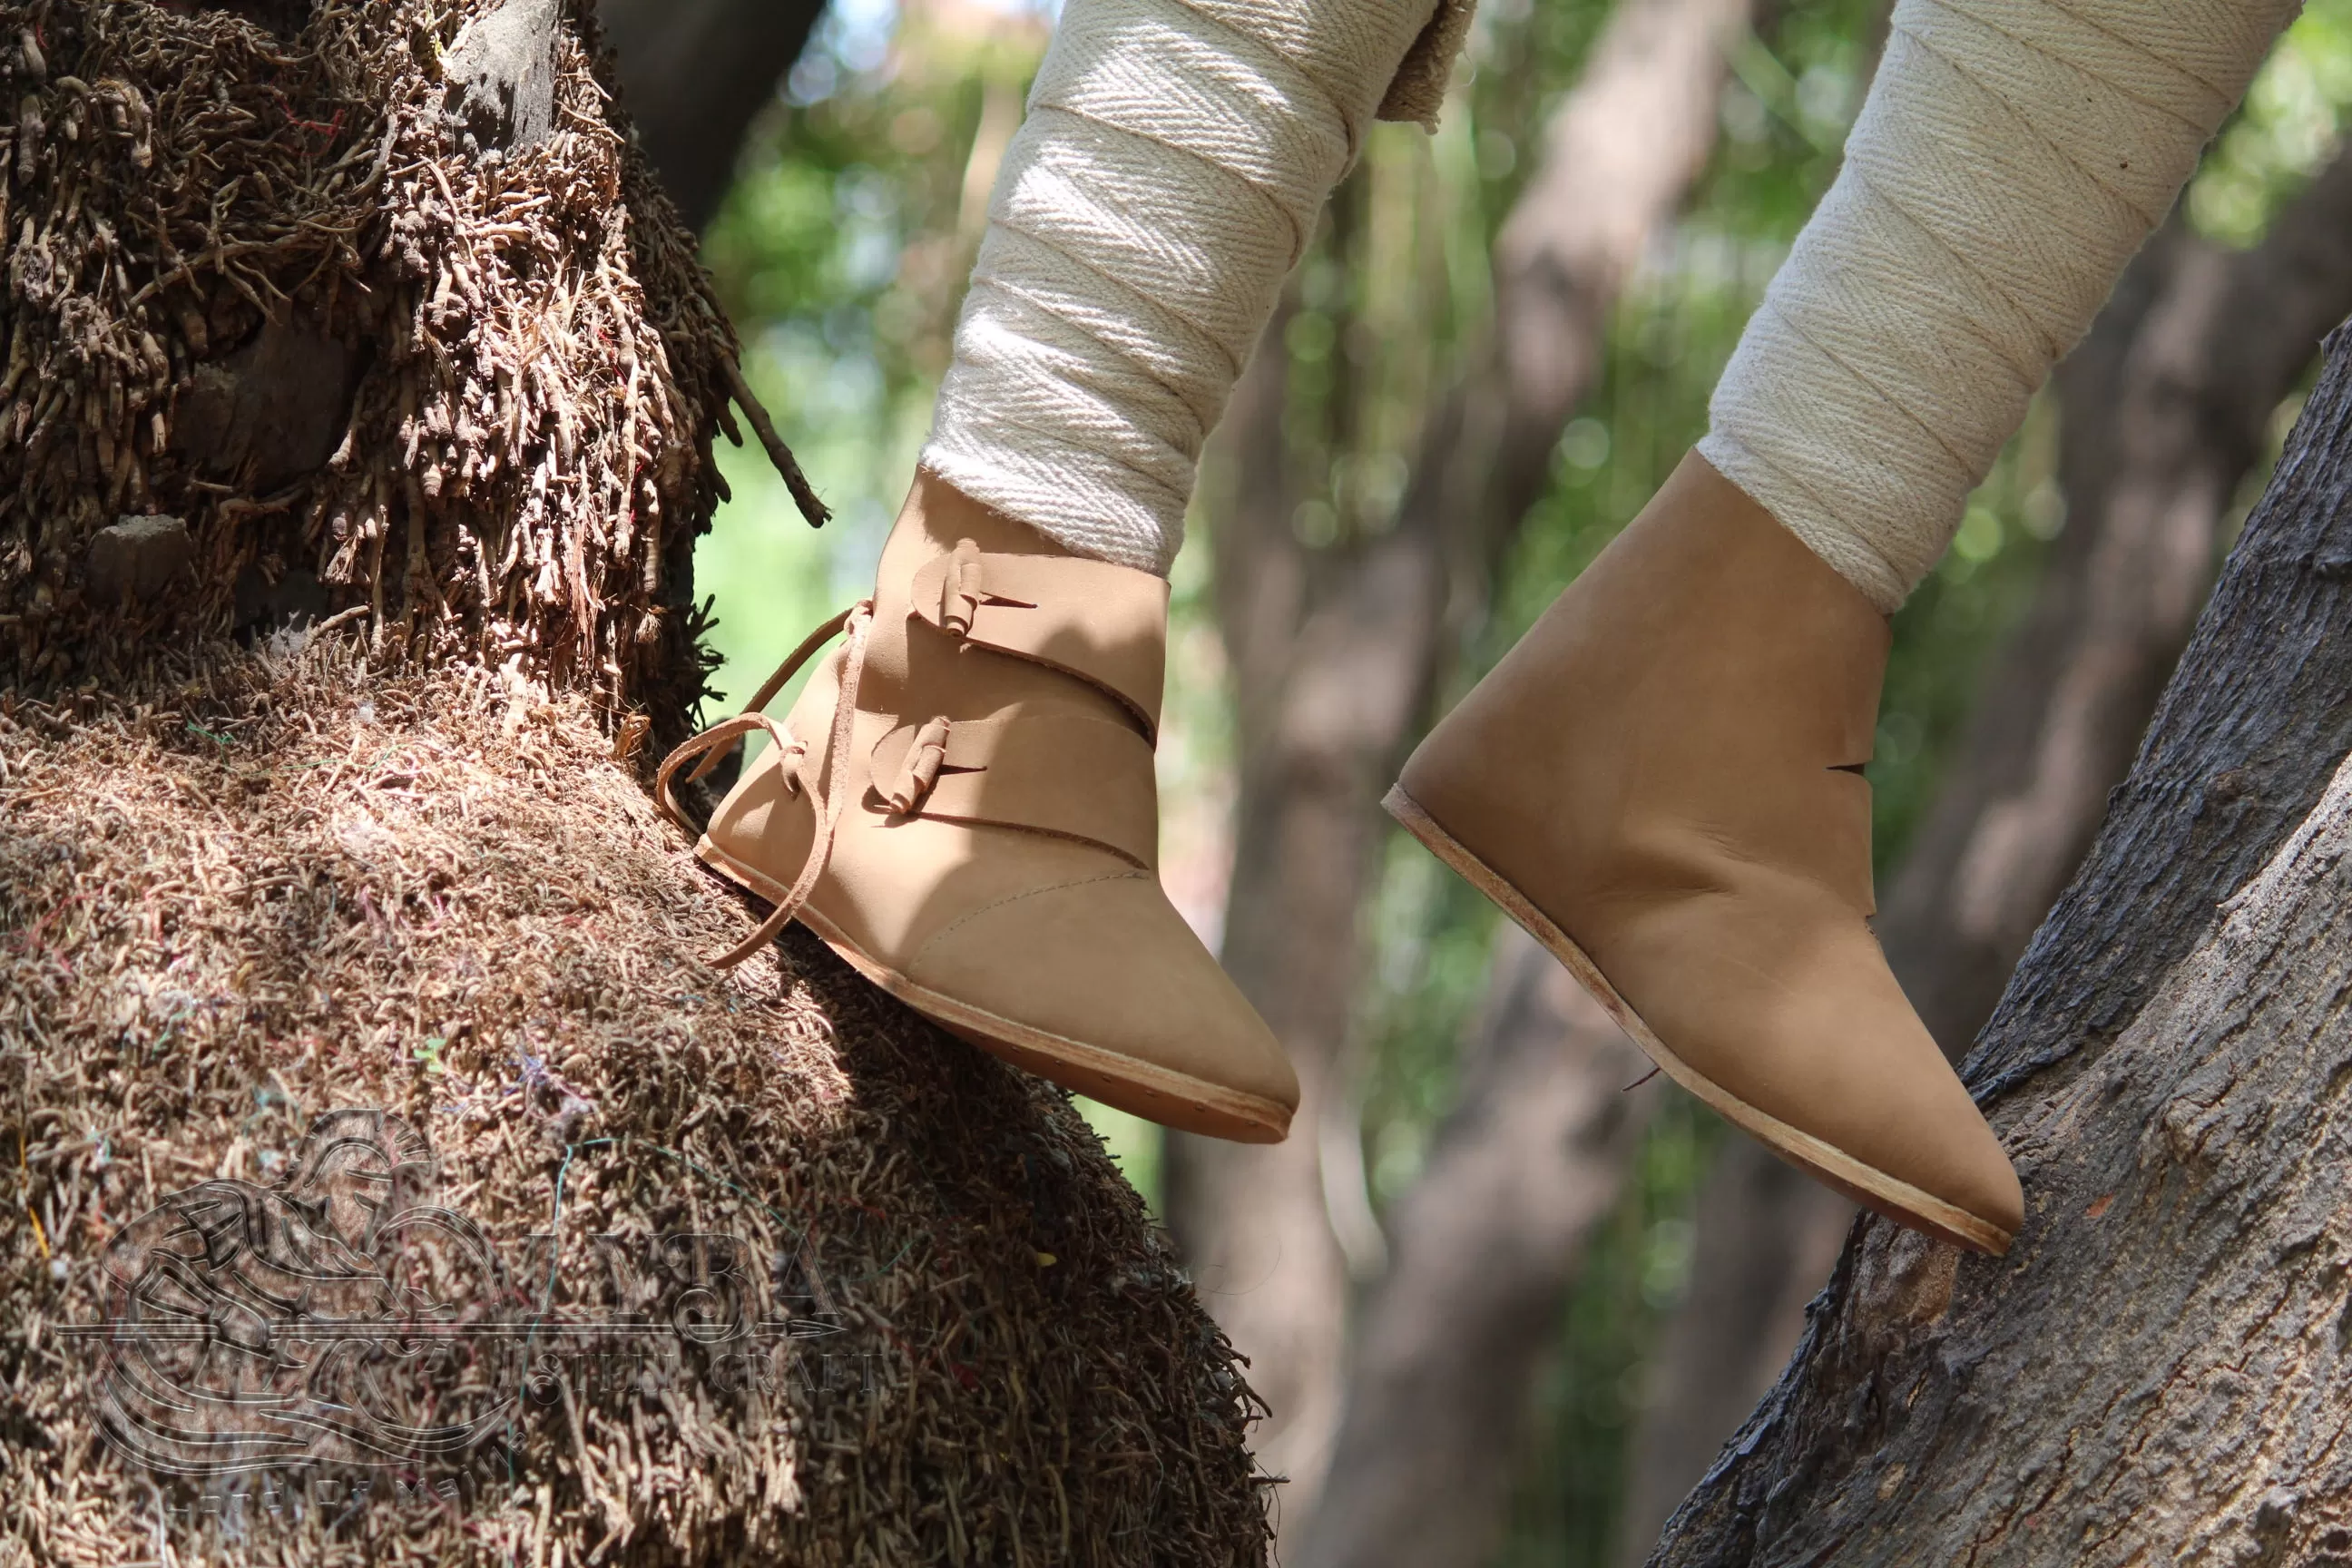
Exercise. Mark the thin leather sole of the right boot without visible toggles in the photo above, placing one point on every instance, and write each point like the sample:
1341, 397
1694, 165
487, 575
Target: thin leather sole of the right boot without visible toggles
1866, 1186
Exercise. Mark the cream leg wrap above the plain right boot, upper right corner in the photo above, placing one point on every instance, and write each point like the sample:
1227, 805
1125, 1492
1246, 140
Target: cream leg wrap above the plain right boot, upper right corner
2005, 168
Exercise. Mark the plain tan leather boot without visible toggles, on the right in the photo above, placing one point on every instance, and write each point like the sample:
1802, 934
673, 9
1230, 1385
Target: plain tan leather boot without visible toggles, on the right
1664, 786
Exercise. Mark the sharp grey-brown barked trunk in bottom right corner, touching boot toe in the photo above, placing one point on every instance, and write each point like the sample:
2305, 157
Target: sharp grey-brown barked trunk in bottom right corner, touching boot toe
2153, 1369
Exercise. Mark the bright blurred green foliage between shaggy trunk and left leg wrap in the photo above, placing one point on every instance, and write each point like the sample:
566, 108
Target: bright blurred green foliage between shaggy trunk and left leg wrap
841, 253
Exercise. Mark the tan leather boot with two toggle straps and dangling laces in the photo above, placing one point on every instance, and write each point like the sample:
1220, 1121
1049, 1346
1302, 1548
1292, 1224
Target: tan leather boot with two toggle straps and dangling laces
963, 808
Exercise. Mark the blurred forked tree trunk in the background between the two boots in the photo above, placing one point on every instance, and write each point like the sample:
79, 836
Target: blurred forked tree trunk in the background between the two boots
1339, 650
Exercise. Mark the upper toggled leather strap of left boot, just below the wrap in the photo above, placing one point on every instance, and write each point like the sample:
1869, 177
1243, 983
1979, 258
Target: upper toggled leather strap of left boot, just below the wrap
1090, 619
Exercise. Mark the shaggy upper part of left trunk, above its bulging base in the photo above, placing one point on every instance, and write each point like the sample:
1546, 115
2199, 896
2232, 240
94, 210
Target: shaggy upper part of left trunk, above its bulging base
352, 314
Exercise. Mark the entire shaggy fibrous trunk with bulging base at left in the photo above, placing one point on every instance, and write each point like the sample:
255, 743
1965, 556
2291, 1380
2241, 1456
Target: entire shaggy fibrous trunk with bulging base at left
392, 1177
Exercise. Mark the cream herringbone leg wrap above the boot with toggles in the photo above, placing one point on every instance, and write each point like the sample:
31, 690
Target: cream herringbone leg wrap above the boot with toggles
1165, 182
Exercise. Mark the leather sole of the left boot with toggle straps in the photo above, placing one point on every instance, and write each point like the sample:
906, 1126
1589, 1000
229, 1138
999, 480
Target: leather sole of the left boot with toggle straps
1142, 1090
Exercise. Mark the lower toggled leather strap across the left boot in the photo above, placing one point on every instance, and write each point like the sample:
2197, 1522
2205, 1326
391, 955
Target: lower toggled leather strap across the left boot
1045, 770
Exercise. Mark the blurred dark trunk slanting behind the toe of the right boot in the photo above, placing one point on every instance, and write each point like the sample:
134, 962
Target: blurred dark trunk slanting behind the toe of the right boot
2163, 415
